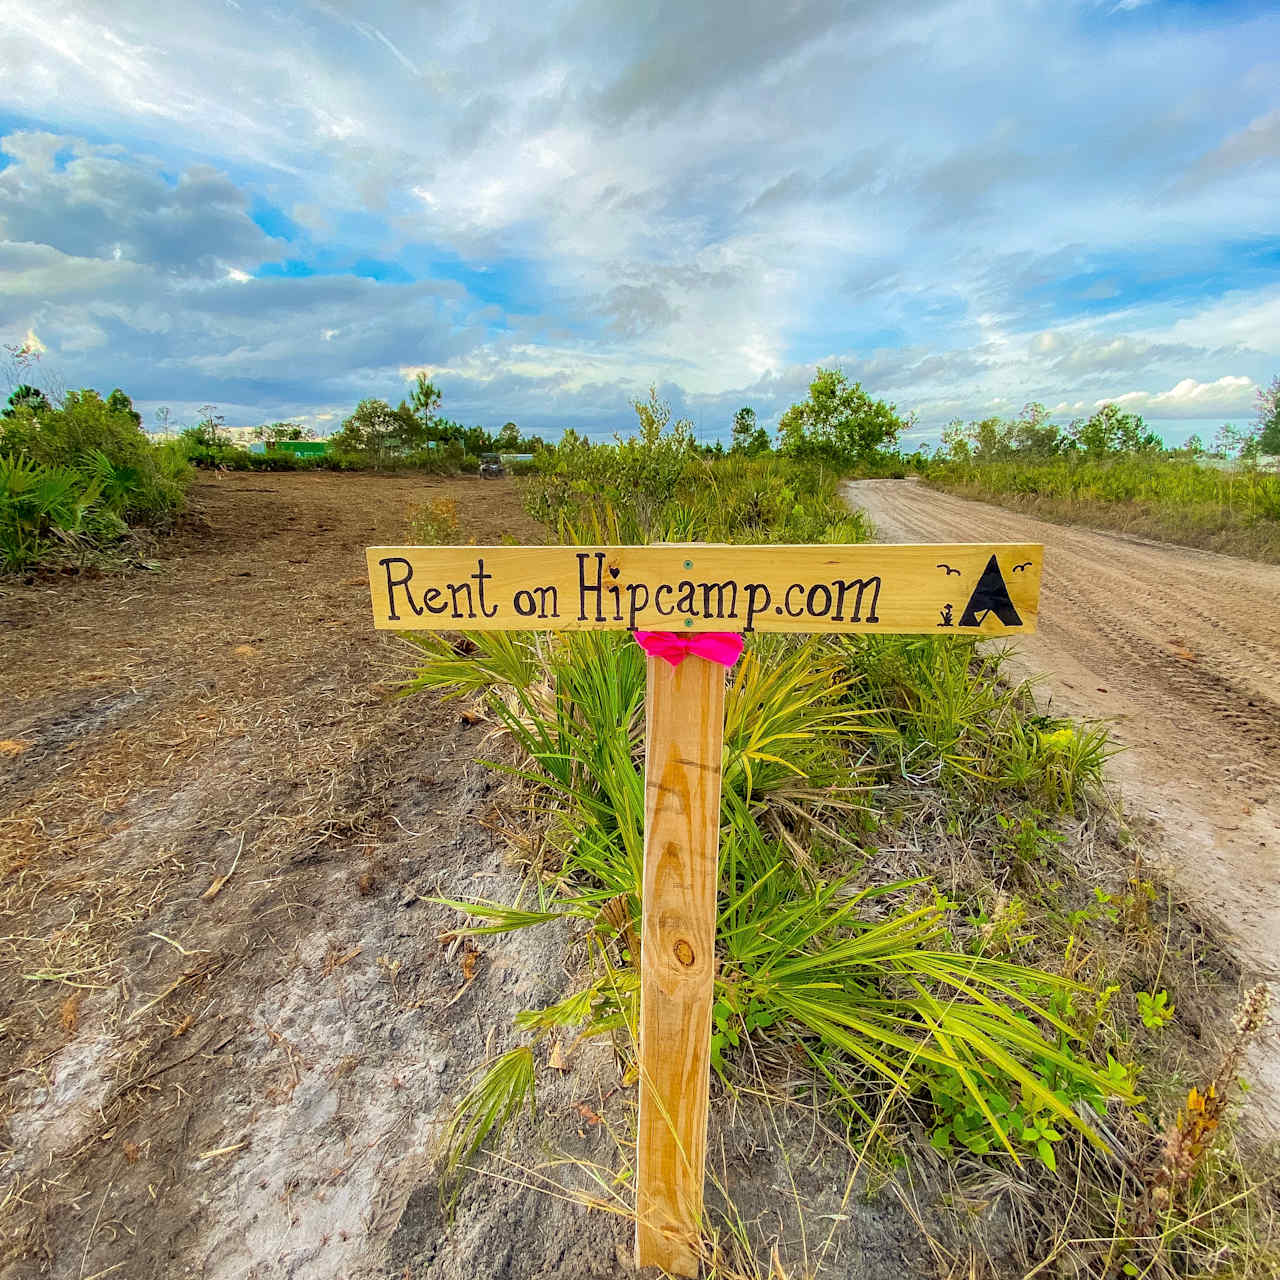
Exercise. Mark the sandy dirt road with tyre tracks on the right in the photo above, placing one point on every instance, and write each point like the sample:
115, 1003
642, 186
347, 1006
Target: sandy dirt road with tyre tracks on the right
1180, 652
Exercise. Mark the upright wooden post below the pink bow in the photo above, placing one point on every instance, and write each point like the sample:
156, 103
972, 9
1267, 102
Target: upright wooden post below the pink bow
684, 758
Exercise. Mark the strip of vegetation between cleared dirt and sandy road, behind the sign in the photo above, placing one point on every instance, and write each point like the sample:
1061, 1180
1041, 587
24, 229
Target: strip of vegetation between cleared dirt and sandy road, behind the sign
935, 947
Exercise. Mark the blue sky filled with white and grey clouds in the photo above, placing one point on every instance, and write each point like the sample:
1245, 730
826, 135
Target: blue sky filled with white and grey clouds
967, 205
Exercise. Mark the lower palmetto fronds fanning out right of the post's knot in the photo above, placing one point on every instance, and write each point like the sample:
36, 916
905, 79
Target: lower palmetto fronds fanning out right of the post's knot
877, 994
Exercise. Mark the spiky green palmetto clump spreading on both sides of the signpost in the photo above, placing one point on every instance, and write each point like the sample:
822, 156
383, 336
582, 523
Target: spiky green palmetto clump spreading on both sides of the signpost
866, 986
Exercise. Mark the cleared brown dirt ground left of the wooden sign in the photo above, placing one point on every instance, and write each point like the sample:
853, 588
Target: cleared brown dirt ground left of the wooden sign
227, 1018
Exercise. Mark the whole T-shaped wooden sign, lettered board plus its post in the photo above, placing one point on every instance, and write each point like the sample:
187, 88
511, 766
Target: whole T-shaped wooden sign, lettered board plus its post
967, 589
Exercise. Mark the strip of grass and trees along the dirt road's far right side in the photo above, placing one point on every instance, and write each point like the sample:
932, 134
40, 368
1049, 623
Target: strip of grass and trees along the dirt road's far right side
1112, 473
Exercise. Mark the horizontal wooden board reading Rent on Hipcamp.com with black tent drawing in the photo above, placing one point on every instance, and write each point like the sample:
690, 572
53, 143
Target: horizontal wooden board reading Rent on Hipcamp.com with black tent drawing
988, 589
